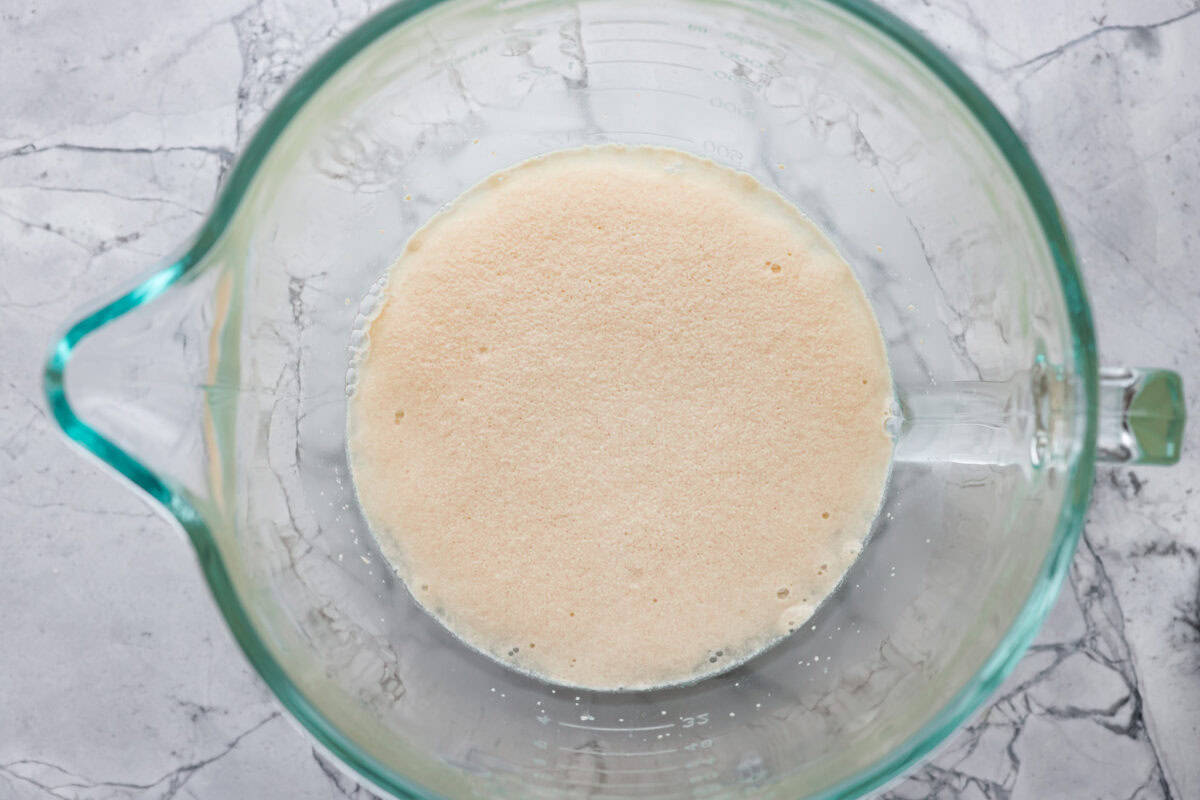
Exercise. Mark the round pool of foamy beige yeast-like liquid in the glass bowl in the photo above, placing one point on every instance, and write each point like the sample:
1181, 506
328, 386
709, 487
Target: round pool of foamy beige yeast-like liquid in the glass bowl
621, 417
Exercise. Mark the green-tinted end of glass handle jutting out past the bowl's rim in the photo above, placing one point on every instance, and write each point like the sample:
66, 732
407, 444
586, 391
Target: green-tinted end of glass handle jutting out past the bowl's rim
1142, 417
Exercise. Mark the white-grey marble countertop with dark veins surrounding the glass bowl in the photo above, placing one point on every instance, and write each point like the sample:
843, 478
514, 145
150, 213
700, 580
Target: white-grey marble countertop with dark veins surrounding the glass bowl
118, 679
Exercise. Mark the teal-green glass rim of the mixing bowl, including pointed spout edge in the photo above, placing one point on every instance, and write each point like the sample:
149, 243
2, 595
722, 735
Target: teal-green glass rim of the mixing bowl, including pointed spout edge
178, 503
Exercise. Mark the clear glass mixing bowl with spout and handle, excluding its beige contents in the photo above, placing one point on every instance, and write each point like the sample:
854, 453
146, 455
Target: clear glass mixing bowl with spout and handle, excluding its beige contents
218, 384
